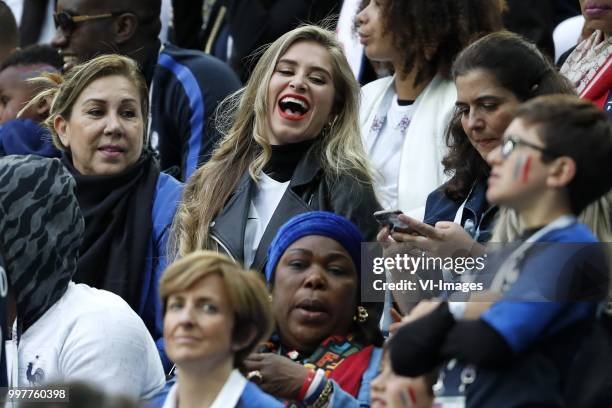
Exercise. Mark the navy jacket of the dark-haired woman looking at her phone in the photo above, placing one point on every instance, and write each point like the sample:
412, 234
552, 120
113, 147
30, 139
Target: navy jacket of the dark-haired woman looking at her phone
478, 215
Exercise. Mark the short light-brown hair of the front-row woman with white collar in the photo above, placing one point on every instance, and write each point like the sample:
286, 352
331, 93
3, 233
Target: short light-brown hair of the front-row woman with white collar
247, 293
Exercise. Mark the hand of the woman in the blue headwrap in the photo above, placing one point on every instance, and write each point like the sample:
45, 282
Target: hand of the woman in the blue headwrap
280, 376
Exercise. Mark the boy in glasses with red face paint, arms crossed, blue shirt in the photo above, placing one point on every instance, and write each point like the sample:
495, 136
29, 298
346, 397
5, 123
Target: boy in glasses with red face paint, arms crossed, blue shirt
555, 159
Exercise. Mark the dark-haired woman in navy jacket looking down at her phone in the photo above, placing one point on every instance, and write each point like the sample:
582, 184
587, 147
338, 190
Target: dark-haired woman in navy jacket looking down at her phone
489, 89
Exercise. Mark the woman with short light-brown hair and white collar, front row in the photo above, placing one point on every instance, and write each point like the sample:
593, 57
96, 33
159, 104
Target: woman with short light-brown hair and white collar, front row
215, 314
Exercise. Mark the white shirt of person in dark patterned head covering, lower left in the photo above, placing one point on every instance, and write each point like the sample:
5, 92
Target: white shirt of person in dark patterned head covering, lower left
89, 335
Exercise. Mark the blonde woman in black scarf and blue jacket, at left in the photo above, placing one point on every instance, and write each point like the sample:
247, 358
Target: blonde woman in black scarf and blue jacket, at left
98, 119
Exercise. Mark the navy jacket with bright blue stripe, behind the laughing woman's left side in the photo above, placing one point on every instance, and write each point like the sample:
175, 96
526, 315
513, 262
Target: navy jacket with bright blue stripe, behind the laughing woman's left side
187, 86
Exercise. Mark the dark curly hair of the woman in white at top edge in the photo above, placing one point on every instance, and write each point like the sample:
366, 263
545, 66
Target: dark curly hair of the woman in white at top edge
432, 33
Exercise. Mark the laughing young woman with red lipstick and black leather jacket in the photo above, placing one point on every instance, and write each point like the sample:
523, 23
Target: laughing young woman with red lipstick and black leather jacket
293, 146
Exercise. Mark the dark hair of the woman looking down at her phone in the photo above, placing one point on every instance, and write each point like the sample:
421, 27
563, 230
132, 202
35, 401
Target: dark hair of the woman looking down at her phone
497, 54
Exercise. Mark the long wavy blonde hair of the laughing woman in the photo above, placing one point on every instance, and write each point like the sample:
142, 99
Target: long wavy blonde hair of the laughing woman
245, 146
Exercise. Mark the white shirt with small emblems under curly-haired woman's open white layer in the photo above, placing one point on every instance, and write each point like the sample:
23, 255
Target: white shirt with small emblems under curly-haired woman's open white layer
385, 154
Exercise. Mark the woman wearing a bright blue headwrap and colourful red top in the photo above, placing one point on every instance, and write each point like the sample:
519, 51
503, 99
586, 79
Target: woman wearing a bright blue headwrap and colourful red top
325, 348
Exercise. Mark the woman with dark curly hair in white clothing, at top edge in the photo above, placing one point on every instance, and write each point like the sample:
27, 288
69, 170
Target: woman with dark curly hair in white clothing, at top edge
403, 118
